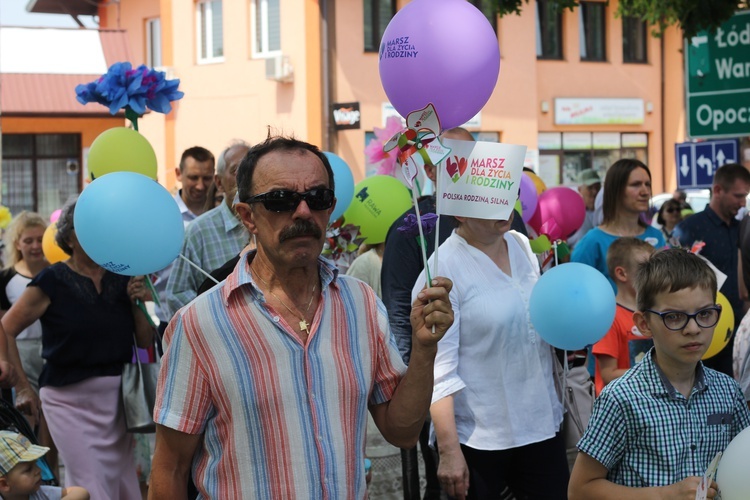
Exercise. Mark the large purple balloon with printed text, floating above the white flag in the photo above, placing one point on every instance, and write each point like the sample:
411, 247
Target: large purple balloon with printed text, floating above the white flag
443, 52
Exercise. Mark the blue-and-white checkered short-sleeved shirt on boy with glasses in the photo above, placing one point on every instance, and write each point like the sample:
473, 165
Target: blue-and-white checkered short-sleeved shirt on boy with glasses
648, 434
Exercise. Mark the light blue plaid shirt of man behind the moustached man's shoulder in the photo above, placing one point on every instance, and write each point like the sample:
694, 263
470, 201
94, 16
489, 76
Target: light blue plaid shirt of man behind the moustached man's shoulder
210, 240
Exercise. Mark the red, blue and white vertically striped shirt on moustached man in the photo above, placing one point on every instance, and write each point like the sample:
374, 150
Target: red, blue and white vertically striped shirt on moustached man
279, 419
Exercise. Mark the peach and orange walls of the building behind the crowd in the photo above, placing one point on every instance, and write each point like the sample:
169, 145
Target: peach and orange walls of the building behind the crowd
232, 99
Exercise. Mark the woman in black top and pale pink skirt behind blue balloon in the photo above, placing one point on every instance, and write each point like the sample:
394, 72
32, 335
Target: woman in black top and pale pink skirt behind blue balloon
89, 320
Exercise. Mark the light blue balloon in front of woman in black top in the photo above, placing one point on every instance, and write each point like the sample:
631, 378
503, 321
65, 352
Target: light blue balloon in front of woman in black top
129, 224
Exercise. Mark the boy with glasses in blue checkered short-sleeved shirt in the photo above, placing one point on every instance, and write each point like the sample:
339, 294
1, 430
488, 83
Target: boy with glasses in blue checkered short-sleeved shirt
655, 430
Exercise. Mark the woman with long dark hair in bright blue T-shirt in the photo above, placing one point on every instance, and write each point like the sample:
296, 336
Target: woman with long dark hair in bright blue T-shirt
627, 194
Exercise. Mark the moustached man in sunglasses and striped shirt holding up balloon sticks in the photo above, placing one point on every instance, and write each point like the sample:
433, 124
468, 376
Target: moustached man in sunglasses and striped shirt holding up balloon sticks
266, 380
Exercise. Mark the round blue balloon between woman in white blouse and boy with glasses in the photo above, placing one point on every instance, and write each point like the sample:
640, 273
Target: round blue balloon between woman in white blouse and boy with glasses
572, 306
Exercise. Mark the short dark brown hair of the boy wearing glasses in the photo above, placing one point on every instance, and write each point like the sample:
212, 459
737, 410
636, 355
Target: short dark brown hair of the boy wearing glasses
670, 271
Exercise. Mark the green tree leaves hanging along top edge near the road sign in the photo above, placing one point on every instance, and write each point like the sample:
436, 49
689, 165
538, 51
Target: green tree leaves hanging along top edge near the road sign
691, 16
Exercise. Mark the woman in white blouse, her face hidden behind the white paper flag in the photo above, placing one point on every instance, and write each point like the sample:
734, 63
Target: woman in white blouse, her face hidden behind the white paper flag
495, 411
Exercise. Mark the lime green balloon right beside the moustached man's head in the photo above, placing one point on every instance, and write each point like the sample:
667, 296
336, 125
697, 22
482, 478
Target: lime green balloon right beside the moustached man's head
378, 202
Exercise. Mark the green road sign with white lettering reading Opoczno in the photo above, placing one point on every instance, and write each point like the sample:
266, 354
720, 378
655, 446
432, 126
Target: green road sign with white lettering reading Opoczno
718, 80
